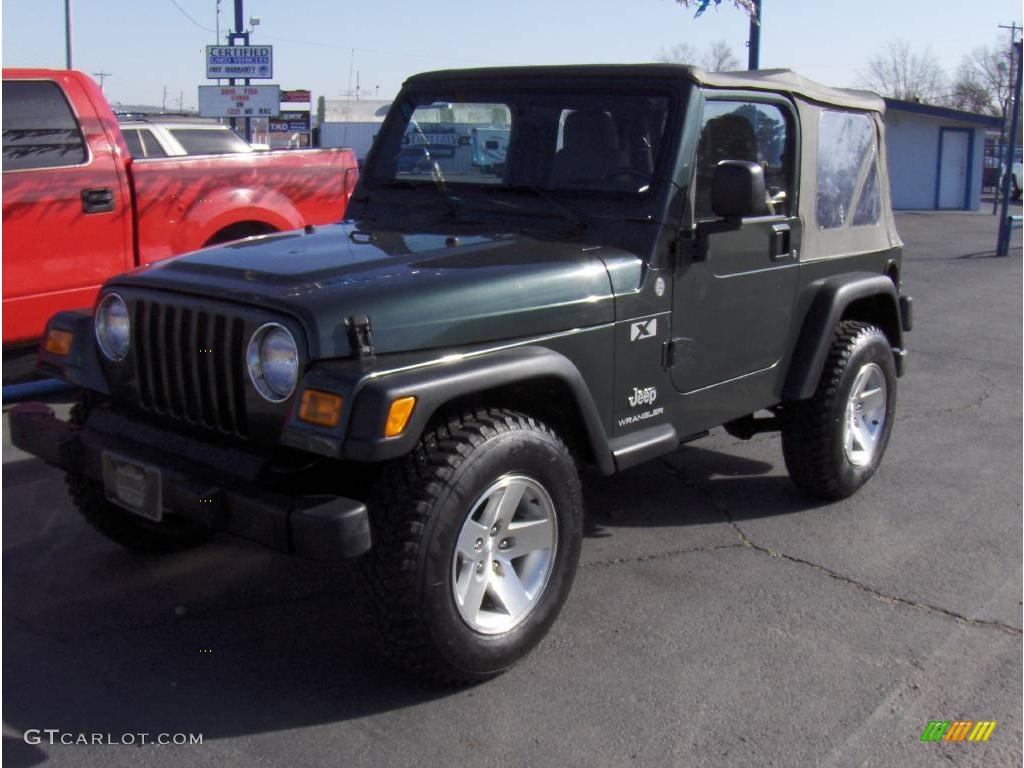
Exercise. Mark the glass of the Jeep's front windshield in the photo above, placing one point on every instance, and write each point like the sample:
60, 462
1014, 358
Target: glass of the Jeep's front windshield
587, 143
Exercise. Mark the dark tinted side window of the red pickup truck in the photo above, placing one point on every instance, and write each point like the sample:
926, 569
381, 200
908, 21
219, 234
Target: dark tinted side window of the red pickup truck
39, 129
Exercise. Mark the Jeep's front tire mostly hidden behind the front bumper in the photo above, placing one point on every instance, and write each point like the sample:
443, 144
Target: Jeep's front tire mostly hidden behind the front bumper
121, 527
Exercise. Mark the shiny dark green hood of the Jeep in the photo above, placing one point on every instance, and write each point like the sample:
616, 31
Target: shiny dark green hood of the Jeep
421, 291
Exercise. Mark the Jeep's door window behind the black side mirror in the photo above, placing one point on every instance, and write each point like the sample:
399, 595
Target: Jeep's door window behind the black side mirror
746, 131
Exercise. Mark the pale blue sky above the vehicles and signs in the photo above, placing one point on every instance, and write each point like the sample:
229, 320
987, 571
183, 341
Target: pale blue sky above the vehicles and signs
149, 45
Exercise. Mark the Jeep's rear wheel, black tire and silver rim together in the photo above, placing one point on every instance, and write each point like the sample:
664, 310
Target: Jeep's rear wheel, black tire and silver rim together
834, 442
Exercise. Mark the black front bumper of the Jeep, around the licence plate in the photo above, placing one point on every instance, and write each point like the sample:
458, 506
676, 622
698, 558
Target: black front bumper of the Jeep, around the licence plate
214, 486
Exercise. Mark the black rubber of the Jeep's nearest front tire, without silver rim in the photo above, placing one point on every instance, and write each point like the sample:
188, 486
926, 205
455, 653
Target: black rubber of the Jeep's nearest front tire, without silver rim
405, 581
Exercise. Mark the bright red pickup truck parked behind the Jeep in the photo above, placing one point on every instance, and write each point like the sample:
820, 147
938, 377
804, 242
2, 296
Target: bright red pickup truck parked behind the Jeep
78, 208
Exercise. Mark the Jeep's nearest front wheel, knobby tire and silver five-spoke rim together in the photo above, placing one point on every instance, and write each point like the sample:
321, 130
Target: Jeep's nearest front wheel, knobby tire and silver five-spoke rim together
477, 544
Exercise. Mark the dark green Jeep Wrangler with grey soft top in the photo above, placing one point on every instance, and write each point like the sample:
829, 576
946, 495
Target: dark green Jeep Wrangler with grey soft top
660, 251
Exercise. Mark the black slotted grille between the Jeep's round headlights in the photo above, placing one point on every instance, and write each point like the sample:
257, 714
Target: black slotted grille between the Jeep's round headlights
190, 365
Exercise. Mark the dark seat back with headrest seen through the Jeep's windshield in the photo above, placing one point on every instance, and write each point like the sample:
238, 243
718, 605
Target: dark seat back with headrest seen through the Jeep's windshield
590, 150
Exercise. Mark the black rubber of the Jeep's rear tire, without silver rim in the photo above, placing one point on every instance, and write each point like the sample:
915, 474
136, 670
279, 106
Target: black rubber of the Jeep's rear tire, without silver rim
814, 431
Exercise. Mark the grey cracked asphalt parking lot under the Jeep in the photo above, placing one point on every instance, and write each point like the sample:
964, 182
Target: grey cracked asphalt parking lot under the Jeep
718, 619
